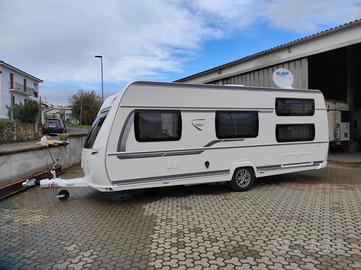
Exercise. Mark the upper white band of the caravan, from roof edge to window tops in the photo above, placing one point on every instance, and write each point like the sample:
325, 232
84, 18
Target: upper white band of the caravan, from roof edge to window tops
206, 96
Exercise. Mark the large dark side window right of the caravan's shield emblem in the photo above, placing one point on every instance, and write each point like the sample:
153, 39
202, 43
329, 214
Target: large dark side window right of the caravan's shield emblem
236, 124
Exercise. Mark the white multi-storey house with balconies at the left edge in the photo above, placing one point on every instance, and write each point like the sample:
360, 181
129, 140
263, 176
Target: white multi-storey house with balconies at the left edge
16, 86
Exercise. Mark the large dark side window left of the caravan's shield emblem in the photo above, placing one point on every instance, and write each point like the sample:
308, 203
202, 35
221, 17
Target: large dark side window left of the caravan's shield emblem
154, 125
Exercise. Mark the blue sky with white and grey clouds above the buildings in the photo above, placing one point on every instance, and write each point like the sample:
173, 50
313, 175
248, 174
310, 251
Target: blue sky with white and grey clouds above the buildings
155, 40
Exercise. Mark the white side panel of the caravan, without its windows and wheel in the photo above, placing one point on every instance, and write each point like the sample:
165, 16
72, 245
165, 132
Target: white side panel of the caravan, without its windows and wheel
199, 156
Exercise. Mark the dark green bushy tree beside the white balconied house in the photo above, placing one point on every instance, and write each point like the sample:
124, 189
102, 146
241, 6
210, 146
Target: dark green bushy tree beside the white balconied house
26, 112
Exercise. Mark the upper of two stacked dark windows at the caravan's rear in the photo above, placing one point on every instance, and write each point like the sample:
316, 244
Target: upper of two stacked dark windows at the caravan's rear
295, 107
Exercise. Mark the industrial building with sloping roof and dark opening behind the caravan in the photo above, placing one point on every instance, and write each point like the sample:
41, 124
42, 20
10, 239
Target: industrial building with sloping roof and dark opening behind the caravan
329, 61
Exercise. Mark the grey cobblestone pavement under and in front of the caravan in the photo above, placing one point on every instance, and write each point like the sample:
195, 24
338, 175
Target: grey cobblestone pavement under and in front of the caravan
309, 220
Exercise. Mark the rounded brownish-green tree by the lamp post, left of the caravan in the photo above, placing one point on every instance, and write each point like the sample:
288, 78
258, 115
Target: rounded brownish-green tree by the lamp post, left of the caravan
85, 105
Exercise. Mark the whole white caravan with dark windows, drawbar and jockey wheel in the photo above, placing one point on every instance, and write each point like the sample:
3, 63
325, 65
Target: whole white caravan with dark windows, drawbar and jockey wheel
164, 134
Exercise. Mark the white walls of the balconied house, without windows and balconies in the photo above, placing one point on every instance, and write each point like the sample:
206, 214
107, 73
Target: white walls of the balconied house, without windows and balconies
5, 99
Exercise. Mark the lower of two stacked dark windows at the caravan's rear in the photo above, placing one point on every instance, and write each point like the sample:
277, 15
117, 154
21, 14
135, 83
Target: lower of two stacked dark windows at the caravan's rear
295, 132
